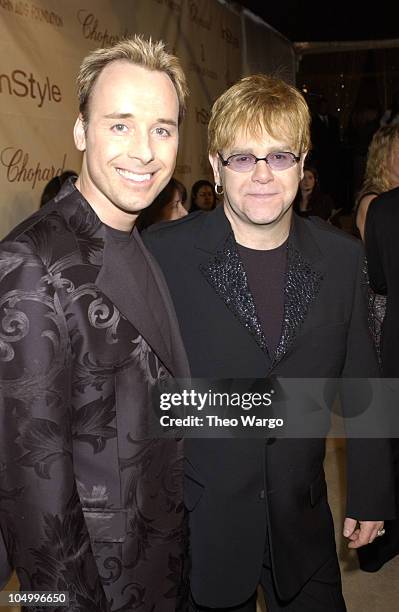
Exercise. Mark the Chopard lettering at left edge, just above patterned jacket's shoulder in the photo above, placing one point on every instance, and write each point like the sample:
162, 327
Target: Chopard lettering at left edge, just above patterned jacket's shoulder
19, 168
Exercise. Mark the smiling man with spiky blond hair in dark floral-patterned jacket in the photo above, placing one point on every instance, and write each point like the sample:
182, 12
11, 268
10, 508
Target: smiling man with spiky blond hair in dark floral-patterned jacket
89, 505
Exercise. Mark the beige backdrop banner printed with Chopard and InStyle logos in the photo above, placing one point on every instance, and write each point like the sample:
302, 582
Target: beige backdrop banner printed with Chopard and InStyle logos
42, 44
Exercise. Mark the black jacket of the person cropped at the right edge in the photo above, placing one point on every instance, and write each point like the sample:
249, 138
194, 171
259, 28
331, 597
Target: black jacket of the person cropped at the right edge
382, 248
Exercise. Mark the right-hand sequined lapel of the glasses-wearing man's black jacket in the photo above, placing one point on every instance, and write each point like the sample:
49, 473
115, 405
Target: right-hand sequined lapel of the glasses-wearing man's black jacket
303, 281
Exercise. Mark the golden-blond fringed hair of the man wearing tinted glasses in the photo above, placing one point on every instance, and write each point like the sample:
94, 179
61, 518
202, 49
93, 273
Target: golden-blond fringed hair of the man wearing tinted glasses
257, 103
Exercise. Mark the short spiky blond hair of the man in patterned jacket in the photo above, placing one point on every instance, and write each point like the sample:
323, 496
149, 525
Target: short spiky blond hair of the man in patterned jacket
145, 53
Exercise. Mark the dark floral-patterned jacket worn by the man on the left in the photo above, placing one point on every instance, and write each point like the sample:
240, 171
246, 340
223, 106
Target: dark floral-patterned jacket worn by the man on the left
89, 504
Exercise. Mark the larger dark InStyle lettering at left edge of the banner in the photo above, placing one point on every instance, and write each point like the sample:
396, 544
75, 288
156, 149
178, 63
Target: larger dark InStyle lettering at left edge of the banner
23, 85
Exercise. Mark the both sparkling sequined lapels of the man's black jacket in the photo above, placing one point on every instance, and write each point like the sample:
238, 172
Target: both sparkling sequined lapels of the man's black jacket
225, 272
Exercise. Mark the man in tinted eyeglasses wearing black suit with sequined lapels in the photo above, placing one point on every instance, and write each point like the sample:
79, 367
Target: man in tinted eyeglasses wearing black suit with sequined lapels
260, 292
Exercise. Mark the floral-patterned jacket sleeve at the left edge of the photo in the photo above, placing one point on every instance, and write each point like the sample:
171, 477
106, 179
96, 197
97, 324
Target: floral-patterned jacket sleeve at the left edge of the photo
43, 535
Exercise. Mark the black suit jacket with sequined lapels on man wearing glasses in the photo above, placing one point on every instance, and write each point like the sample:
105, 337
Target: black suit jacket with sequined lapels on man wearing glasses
324, 334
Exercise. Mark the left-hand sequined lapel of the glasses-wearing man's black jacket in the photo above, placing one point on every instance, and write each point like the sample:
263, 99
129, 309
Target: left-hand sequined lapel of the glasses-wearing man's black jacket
226, 274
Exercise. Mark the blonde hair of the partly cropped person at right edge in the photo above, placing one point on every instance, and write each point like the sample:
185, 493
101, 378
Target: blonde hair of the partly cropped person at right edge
377, 176
